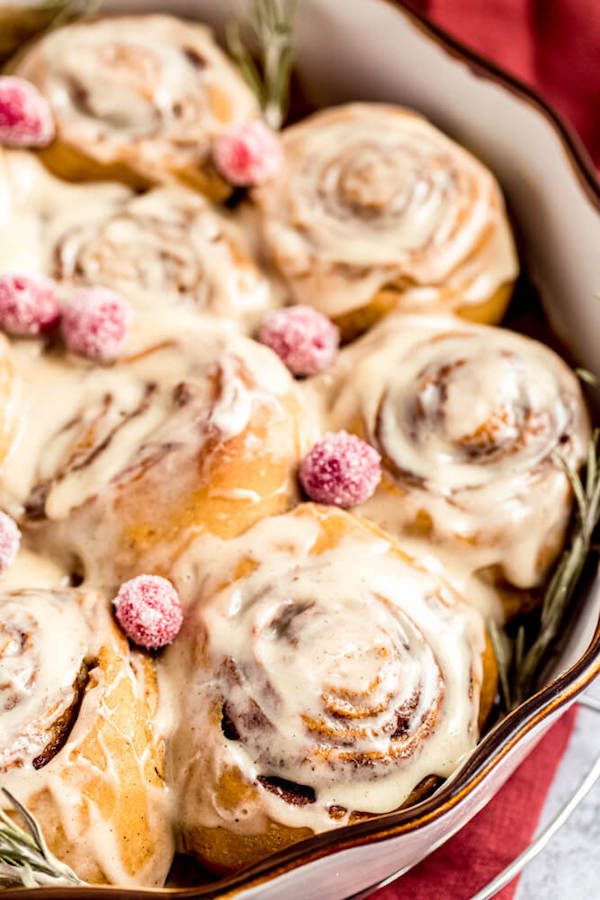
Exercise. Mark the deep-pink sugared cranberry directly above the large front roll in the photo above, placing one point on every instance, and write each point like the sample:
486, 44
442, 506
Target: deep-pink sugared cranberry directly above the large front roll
341, 470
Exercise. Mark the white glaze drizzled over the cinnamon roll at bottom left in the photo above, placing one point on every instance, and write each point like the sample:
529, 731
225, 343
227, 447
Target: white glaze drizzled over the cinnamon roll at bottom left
62, 629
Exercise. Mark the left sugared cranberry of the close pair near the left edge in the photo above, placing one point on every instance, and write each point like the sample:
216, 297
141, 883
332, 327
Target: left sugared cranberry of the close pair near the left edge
29, 304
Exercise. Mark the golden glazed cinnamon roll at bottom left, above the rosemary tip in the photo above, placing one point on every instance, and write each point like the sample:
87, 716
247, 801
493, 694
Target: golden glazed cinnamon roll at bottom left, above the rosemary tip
79, 744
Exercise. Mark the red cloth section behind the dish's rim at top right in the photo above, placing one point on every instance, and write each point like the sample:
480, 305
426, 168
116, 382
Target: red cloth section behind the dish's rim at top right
554, 45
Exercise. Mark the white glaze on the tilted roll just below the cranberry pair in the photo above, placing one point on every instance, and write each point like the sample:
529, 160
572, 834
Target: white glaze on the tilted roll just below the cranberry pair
137, 403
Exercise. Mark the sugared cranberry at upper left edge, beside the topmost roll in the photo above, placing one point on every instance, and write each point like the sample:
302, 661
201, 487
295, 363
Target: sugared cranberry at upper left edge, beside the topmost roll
25, 116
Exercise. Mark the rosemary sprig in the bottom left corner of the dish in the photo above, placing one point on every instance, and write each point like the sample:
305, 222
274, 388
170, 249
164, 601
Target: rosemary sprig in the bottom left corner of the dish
25, 860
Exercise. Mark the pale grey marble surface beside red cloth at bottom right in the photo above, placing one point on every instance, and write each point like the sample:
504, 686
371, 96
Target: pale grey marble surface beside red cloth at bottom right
569, 867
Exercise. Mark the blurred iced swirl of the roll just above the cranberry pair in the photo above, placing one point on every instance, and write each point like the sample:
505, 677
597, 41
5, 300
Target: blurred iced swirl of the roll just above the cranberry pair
166, 249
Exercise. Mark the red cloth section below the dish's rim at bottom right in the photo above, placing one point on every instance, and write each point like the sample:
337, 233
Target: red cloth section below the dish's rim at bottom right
493, 838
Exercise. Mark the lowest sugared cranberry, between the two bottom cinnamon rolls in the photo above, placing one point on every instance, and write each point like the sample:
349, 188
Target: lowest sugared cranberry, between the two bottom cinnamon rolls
148, 610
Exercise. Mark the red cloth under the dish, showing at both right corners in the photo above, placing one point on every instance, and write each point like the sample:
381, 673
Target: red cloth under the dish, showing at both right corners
554, 45
